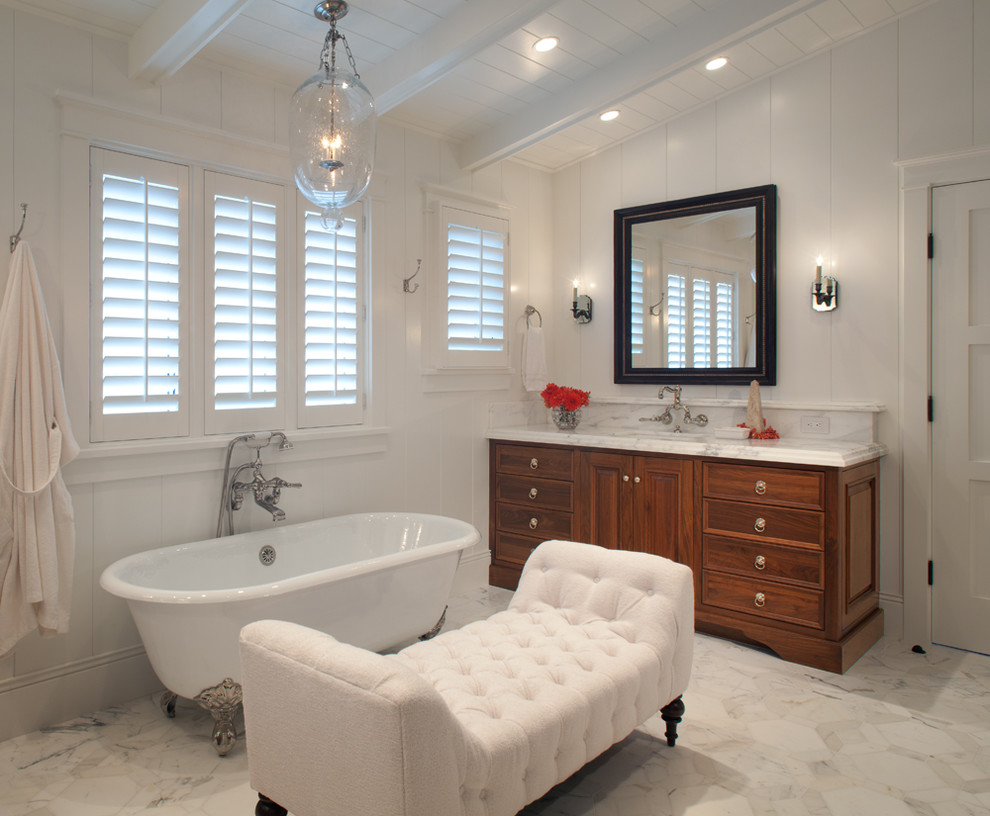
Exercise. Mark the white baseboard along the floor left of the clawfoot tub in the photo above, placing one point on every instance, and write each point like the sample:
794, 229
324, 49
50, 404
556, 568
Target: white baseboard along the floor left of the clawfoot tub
48, 698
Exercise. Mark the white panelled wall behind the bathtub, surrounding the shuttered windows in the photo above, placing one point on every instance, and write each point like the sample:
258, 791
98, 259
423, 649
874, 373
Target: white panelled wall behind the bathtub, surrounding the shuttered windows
431, 454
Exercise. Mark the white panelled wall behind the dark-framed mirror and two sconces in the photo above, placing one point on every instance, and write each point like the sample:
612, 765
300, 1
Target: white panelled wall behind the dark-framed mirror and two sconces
828, 132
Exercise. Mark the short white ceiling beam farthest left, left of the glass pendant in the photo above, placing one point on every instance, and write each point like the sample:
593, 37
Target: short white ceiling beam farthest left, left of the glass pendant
174, 34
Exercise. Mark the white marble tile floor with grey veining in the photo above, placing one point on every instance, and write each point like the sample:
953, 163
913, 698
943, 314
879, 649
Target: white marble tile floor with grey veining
899, 734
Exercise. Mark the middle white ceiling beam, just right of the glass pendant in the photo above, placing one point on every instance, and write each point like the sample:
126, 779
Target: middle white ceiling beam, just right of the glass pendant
454, 39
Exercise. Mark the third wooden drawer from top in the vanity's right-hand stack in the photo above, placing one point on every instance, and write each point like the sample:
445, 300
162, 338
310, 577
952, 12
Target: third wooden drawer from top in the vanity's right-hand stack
766, 561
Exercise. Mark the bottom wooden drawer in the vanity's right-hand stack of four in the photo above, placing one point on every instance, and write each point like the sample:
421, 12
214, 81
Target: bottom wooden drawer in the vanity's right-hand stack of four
767, 599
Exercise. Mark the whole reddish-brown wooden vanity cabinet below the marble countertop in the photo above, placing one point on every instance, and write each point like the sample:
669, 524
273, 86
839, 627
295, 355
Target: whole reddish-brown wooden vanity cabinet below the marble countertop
784, 556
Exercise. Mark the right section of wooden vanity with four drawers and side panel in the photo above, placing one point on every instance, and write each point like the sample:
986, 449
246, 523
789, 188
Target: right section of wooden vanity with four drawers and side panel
787, 558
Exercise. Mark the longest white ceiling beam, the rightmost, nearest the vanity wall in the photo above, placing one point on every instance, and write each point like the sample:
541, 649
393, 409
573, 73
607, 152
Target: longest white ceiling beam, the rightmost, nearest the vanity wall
702, 36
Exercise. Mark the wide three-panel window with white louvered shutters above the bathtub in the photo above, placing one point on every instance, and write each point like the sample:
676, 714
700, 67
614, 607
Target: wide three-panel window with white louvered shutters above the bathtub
184, 349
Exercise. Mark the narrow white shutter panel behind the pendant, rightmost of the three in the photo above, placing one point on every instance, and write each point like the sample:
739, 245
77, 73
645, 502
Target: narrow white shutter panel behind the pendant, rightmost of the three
331, 324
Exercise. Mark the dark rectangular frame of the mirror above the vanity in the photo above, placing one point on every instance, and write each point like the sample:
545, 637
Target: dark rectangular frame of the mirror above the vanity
764, 200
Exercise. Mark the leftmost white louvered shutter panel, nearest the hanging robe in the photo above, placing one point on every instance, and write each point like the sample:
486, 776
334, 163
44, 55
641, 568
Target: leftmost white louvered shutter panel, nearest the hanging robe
138, 378
